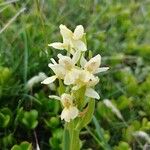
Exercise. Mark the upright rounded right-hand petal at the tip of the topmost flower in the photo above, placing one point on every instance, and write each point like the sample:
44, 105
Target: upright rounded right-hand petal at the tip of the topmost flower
78, 32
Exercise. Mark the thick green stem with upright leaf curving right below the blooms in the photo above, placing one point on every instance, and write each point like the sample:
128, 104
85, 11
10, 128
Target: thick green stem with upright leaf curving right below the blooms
74, 127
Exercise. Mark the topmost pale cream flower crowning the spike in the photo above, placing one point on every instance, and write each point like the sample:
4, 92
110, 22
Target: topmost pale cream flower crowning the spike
72, 41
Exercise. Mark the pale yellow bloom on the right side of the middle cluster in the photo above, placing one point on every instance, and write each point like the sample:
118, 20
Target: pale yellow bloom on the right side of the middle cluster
86, 76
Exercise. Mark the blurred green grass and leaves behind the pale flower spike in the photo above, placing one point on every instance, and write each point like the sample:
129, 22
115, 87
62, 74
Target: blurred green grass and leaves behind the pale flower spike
118, 30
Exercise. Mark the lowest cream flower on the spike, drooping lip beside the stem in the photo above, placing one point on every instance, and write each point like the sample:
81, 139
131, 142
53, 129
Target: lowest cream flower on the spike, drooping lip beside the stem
70, 111
